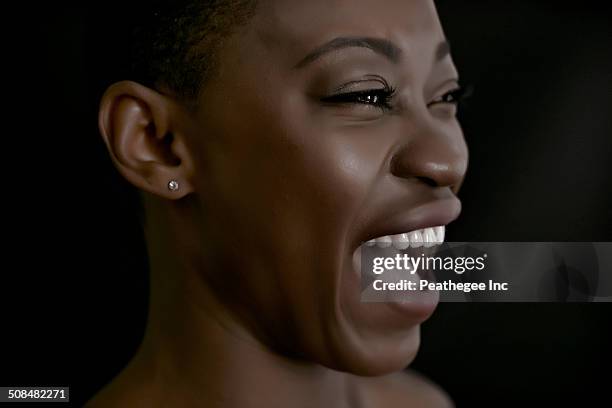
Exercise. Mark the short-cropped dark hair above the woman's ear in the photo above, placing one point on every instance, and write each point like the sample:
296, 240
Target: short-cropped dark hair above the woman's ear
174, 44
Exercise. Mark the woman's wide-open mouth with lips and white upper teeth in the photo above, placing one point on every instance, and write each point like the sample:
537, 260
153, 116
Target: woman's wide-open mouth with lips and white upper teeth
390, 258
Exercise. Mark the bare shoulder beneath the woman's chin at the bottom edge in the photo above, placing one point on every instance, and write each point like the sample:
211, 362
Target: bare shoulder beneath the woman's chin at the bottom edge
405, 389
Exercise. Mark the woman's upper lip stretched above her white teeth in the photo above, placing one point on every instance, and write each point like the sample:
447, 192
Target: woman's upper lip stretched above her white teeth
433, 213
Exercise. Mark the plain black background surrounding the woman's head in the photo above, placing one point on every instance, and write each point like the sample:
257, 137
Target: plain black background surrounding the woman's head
539, 127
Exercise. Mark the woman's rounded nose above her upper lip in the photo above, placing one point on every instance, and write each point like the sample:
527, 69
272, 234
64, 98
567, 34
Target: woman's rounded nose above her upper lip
437, 157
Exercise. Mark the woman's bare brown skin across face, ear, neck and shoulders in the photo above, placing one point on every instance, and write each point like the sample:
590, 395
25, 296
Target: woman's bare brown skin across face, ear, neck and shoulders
255, 300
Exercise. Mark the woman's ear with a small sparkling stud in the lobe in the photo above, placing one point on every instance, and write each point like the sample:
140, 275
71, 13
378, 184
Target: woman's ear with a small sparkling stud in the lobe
141, 130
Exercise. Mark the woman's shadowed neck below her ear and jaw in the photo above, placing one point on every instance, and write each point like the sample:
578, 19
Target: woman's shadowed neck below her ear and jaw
195, 352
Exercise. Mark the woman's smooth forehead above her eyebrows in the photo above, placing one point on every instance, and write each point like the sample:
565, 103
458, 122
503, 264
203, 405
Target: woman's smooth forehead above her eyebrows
296, 26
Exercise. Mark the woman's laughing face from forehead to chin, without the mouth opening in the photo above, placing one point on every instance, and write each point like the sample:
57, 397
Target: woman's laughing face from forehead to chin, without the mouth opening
325, 127
